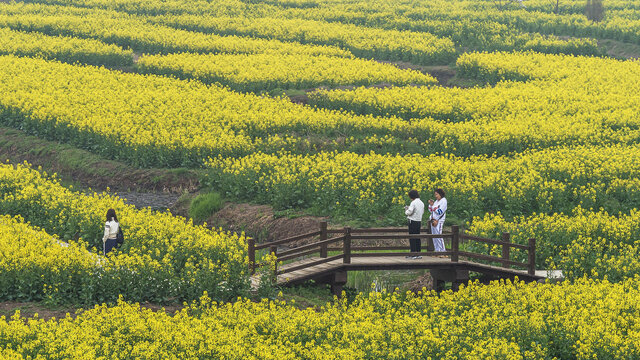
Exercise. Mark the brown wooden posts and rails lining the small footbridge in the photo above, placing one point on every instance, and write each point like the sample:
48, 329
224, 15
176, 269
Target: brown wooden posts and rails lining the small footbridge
398, 233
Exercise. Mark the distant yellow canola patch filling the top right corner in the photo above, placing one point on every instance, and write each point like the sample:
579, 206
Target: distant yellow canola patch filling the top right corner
490, 25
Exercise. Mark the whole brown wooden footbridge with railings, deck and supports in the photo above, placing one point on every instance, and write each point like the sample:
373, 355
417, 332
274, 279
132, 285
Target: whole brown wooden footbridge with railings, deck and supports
327, 255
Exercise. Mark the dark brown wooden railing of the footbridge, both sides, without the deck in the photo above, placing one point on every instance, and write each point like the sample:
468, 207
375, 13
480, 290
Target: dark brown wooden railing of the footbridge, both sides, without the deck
342, 245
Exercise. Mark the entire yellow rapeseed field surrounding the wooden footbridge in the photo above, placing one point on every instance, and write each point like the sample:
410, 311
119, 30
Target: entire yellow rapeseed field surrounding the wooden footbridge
525, 112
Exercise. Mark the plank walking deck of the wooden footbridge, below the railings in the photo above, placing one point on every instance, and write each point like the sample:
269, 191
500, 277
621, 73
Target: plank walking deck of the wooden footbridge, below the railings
389, 263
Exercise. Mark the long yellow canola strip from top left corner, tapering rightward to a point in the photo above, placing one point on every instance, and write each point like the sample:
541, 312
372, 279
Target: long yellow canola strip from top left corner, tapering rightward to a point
137, 33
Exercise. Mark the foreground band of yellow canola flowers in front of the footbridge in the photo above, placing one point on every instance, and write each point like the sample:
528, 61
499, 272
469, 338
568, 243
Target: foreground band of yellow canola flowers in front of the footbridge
585, 320
